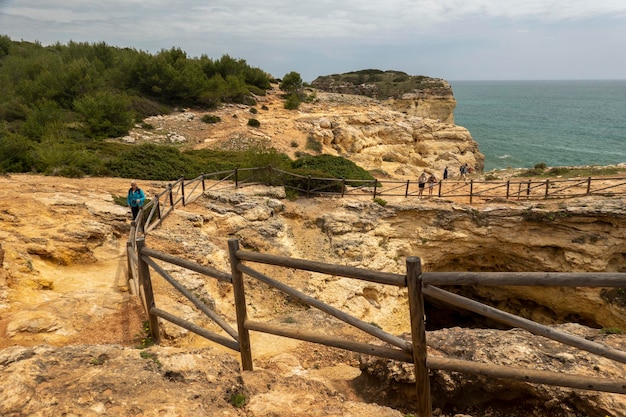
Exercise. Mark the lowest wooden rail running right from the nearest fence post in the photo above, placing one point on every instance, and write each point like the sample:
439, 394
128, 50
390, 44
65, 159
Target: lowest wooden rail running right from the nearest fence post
528, 375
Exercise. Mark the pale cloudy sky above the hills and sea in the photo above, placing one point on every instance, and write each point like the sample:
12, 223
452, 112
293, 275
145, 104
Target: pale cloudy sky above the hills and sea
450, 39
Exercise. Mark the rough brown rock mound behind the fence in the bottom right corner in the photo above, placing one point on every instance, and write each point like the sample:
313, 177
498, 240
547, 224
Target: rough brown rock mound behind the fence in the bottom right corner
480, 396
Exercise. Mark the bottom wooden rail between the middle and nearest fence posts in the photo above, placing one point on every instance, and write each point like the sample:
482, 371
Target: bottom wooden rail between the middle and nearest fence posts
316, 337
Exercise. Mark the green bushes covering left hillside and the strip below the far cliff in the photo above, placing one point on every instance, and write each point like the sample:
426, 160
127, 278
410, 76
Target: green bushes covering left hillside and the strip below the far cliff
59, 104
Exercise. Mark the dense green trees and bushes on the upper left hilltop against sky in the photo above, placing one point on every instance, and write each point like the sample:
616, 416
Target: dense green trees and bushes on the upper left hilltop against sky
82, 90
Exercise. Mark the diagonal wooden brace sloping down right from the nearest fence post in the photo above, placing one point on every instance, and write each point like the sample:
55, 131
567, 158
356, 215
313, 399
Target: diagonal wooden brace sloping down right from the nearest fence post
515, 321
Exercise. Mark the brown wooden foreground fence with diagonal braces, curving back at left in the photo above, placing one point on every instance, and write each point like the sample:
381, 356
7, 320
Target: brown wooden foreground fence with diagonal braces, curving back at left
419, 285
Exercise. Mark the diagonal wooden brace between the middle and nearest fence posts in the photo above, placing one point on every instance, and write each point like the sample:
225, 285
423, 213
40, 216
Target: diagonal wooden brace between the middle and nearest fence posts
359, 324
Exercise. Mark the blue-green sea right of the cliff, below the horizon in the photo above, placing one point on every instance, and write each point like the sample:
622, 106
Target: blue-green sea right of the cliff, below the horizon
519, 124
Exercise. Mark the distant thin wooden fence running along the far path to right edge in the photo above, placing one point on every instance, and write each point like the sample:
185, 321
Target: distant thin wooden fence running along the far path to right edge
473, 191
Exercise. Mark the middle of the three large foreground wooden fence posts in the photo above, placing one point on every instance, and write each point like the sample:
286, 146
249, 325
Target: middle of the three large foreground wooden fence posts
240, 306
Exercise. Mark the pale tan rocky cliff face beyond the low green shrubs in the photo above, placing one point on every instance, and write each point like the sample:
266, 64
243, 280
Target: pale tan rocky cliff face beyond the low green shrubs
399, 137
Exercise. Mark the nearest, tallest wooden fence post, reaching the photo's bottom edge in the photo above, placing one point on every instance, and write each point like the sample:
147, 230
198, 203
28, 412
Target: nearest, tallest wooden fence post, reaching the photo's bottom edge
418, 335
